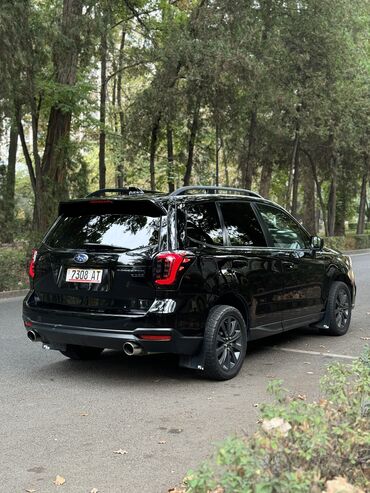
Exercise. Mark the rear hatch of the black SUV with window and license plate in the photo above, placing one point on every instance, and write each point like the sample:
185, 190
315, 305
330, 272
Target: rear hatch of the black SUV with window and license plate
97, 258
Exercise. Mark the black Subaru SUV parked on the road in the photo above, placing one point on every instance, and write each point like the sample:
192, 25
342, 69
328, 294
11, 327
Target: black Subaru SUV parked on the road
198, 272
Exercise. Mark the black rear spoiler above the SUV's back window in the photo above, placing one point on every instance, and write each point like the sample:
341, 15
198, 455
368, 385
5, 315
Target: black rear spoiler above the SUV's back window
142, 207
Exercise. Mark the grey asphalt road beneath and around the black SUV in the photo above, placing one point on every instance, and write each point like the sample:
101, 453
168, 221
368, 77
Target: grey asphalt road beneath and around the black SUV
60, 417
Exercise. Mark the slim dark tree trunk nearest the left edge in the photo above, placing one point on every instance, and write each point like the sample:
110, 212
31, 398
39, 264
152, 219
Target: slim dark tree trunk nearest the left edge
9, 205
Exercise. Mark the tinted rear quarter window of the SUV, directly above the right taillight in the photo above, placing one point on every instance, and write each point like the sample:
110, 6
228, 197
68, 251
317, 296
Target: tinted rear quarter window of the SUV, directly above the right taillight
203, 224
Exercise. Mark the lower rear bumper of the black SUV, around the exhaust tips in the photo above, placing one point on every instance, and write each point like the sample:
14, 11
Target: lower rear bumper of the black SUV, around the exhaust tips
58, 336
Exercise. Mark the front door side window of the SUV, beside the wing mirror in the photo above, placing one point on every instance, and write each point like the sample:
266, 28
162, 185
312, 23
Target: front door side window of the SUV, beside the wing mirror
285, 232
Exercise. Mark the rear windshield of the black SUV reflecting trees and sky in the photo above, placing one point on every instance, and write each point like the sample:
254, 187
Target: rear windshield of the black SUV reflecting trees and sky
114, 230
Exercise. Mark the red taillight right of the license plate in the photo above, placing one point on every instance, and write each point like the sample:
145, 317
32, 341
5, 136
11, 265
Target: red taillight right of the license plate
168, 265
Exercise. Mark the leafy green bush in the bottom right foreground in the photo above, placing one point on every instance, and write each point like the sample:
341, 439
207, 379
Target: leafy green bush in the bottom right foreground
300, 445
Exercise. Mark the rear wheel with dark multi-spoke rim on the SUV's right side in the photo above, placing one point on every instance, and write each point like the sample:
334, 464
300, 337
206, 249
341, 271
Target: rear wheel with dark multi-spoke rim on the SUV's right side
224, 357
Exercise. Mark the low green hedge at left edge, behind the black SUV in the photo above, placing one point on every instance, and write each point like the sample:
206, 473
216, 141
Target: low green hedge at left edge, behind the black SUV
13, 268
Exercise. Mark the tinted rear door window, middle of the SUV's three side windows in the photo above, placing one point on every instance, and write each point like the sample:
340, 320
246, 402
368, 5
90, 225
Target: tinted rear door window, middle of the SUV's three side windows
241, 224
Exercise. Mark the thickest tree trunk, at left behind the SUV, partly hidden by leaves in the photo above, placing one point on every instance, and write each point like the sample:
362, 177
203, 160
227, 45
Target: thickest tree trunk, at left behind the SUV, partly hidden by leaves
51, 186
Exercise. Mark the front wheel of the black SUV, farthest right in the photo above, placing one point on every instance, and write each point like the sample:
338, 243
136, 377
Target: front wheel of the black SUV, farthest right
339, 309
